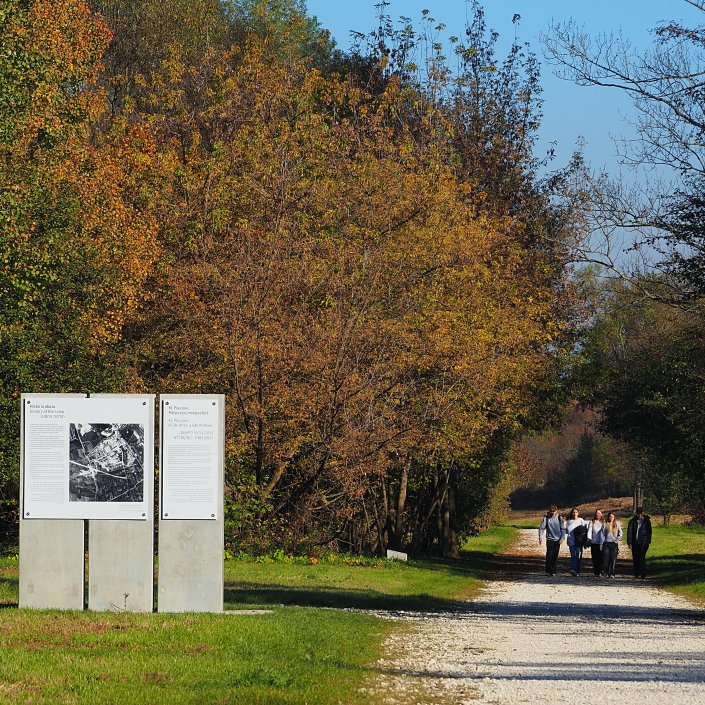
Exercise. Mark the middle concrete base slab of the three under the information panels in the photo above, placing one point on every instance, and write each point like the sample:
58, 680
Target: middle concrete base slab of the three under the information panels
121, 566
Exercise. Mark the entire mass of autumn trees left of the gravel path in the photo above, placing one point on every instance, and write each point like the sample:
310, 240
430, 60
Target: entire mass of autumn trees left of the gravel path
354, 247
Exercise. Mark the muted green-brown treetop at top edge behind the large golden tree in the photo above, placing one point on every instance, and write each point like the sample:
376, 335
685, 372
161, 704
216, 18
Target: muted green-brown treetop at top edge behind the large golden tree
150, 36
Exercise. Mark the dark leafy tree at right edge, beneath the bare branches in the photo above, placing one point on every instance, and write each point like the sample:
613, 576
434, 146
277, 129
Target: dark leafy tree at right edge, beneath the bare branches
644, 360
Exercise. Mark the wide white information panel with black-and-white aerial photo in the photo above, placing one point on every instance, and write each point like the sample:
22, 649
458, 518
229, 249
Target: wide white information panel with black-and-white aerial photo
86, 457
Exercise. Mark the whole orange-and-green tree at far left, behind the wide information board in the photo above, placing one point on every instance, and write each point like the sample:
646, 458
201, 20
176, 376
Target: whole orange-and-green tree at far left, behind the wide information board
75, 242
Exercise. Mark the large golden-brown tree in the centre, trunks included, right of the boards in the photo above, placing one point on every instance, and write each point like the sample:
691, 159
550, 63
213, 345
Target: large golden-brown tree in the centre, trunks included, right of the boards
379, 332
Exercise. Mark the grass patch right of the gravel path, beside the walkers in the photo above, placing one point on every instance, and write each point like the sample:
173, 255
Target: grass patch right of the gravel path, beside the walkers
676, 559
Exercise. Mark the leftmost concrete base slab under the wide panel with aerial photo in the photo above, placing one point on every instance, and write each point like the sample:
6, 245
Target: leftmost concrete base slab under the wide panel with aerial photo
52, 564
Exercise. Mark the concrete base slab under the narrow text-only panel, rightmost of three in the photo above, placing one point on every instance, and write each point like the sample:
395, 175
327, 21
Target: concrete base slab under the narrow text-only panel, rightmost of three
190, 566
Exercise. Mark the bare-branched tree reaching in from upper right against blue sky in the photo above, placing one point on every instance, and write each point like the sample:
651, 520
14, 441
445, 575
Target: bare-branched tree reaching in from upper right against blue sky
665, 84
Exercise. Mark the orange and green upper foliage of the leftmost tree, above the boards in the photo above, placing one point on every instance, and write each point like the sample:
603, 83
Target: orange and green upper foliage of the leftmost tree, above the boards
77, 239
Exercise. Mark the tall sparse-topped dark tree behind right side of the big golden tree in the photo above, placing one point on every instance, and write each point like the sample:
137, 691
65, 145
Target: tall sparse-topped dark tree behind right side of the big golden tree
489, 109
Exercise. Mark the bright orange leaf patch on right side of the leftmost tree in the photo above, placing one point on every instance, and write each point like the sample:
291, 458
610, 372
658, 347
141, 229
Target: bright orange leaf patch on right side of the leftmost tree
109, 235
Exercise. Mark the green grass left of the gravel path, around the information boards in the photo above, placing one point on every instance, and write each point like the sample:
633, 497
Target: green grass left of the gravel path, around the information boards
300, 653
